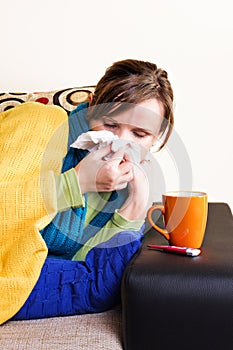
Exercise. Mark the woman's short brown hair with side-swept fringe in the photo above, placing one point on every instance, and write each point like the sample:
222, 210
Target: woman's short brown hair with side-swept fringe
130, 82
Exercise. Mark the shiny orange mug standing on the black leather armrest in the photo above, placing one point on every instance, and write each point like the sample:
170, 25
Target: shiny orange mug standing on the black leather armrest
185, 216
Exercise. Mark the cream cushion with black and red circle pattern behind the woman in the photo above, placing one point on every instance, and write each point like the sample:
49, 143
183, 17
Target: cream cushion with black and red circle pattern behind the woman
68, 98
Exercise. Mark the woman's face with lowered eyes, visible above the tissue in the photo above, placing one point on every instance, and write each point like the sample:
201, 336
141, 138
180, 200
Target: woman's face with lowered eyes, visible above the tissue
140, 124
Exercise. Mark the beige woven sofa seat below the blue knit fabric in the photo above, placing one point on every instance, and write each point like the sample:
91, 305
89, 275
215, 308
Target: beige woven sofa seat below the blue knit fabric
91, 331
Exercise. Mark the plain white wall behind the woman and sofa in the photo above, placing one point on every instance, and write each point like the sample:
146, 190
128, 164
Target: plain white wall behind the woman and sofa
51, 44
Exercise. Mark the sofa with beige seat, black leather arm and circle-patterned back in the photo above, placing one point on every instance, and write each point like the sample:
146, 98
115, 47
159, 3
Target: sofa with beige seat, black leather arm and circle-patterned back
166, 300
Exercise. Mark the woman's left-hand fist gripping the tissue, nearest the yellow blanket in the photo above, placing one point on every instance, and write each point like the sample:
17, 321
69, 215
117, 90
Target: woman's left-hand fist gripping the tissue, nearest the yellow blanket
98, 175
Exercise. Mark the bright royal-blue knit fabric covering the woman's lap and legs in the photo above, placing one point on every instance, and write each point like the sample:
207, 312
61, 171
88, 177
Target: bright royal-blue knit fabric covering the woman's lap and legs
67, 287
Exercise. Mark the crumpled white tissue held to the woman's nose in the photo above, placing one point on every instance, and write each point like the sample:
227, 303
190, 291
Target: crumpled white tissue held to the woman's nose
94, 140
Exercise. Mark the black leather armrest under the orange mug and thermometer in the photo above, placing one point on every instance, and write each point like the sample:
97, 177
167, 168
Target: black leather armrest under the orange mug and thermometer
173, 301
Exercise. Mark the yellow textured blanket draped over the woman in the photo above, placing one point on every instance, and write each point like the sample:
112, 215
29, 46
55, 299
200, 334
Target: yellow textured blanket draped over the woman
33, 142
